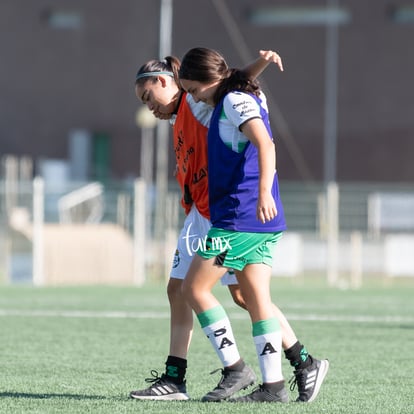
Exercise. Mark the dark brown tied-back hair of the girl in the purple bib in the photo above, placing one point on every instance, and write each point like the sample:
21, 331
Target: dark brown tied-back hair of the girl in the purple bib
207, 65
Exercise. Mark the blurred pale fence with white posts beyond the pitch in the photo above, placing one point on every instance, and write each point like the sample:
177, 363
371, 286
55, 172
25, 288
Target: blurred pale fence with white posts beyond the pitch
59, 232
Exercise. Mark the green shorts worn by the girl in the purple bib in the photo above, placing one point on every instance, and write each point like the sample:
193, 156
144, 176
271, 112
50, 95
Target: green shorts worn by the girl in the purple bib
233, 249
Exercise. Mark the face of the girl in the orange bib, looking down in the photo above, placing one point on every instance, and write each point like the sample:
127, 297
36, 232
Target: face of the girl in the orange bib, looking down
161, 96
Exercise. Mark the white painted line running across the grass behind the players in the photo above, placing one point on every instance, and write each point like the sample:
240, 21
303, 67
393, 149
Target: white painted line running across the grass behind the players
166, 315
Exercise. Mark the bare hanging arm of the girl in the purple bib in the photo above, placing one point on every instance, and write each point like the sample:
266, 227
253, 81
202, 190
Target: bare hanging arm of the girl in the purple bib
256, 132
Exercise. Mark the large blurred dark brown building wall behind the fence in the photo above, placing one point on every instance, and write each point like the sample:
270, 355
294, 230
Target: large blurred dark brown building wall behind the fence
70, 65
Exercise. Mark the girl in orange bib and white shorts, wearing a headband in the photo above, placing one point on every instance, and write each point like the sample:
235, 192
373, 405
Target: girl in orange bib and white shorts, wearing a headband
157, 86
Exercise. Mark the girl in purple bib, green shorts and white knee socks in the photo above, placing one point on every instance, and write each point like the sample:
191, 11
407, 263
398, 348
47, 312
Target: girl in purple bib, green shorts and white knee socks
247, 221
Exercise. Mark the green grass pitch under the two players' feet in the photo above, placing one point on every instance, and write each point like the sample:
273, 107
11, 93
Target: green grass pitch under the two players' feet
82, 349
